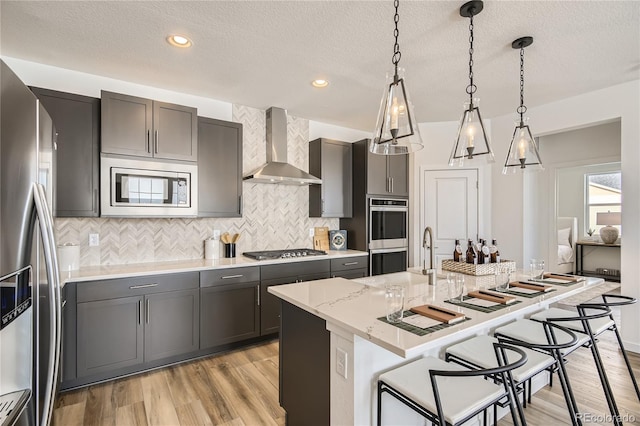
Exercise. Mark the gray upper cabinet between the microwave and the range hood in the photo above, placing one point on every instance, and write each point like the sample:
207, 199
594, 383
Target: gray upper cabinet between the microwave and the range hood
219, 168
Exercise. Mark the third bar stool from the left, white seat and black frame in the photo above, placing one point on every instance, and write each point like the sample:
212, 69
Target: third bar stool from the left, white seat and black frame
535, 335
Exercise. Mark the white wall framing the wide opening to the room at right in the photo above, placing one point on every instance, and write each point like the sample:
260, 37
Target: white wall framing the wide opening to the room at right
618, 102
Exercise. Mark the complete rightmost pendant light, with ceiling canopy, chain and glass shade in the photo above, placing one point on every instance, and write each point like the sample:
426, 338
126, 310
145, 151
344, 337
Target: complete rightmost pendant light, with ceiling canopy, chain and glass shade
523, 152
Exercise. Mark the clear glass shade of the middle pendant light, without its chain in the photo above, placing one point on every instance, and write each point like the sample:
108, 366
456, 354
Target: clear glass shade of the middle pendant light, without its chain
472, 141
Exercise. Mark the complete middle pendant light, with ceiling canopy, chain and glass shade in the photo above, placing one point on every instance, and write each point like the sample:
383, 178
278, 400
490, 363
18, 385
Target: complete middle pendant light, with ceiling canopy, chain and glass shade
472, 140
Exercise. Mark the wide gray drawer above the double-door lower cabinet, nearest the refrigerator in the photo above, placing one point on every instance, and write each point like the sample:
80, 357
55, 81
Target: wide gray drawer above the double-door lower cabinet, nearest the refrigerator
125, 287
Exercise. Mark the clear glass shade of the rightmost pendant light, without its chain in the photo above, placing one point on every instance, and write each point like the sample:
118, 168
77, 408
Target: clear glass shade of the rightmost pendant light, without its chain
523, 152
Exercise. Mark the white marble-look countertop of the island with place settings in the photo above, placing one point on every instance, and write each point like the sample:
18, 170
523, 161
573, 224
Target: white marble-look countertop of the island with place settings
355, 305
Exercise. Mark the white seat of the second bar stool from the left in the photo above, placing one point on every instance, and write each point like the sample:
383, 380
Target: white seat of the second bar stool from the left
479, 352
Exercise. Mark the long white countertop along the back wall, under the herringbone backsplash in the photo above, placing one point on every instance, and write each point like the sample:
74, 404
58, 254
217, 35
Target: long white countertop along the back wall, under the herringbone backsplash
93, 273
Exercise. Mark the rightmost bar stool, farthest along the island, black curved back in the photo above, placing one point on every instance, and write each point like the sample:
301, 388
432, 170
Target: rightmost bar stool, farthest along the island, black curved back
598, 326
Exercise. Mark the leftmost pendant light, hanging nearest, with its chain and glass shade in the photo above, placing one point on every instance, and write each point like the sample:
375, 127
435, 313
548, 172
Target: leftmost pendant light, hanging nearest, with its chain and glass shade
396, 130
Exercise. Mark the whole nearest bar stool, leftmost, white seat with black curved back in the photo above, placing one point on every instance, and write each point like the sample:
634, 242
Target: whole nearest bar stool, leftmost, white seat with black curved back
441, 401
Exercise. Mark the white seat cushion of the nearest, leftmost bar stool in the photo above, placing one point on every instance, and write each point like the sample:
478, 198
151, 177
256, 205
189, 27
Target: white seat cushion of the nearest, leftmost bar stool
460, 396
